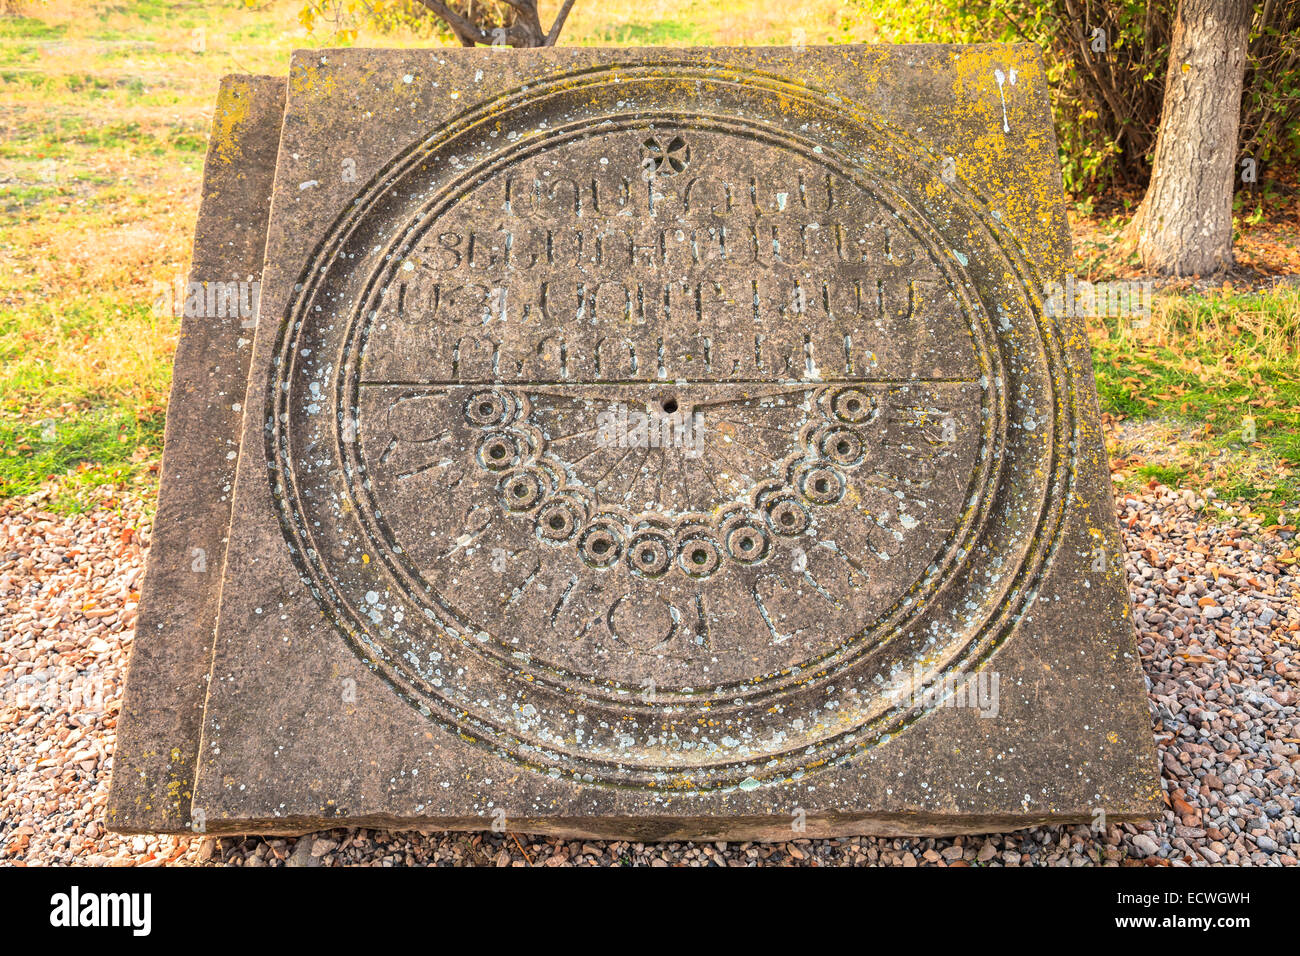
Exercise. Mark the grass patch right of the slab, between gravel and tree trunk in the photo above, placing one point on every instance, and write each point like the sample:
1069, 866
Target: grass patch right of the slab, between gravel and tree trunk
1207, 395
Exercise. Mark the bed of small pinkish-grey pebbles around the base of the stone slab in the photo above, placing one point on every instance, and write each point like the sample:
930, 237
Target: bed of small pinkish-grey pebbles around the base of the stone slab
1216, 609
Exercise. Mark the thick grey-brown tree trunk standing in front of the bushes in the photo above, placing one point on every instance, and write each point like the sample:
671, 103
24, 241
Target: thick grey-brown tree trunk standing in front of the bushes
1185, 223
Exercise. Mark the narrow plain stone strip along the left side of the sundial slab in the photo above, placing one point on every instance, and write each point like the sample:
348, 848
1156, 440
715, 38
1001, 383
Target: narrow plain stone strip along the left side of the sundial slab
158, 732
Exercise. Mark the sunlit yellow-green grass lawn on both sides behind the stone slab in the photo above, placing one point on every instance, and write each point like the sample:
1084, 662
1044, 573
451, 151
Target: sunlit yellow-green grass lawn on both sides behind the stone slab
105, 111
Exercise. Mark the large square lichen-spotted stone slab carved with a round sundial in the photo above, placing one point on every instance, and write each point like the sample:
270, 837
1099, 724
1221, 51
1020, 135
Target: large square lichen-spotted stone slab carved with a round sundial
671, 444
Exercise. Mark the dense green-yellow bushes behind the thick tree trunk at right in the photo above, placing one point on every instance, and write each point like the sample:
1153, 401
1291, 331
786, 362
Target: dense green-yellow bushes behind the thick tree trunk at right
1107, 63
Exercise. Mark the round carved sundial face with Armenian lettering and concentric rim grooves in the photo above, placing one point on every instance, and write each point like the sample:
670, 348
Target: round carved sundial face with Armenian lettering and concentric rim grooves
640, 429
